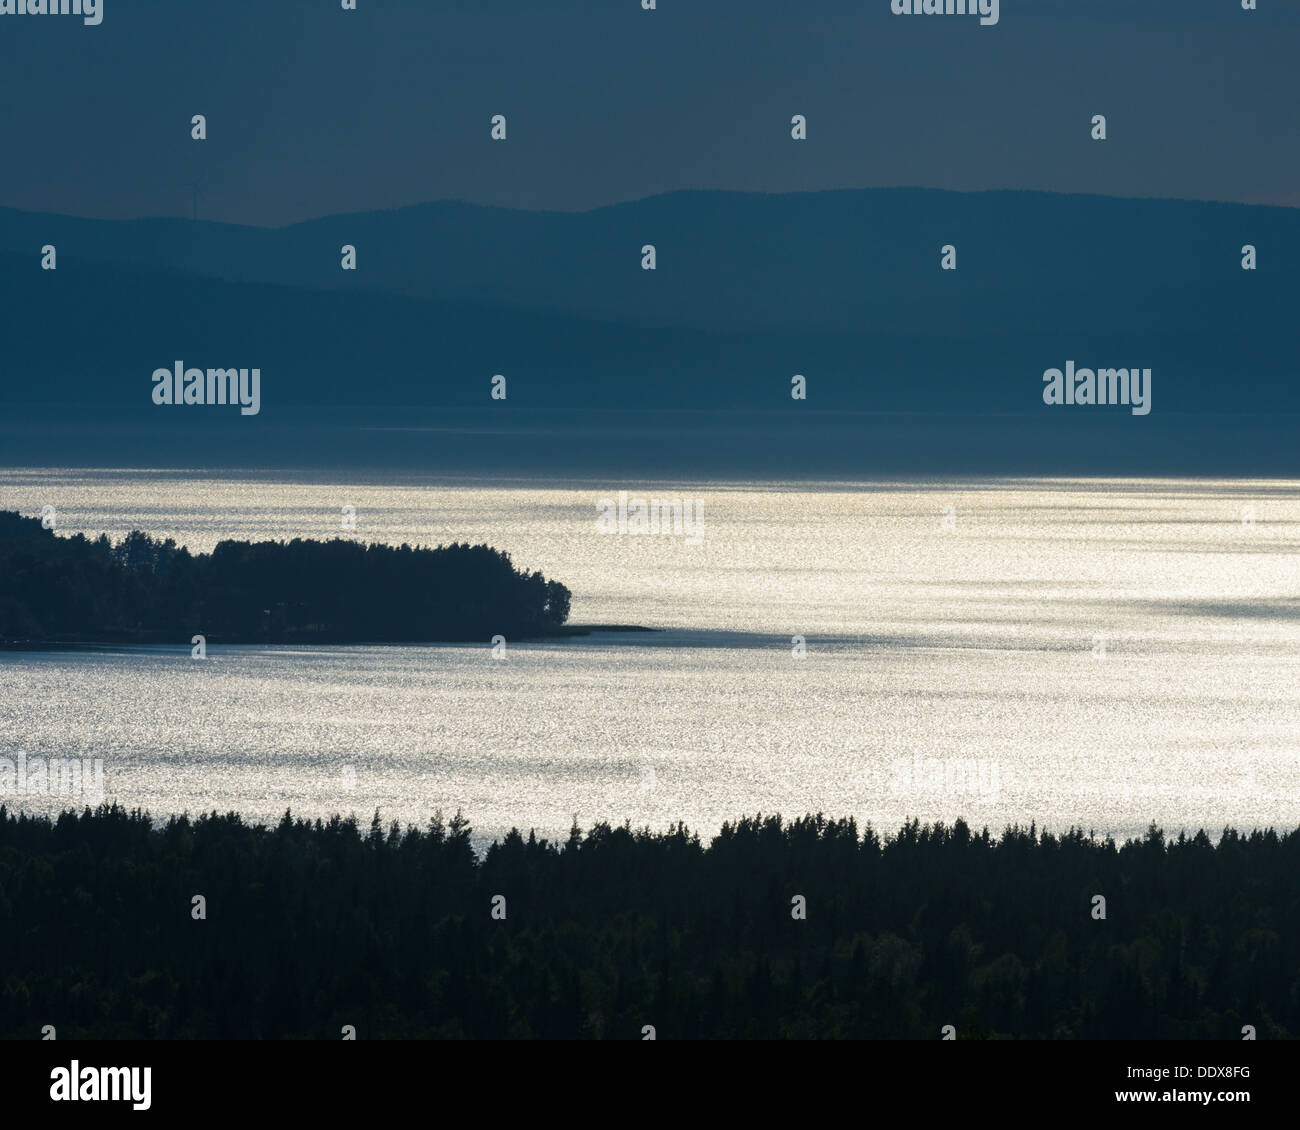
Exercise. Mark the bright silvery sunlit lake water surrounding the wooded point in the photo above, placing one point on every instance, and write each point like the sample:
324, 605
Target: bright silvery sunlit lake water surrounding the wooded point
1077, 653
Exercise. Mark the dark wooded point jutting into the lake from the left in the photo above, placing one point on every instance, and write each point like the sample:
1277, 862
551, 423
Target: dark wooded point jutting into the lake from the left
142, 590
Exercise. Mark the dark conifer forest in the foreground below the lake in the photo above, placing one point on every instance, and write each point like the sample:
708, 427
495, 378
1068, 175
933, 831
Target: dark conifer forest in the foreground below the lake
314, 926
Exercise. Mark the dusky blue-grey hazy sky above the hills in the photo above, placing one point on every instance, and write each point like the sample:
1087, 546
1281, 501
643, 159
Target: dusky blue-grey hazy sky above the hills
313, 110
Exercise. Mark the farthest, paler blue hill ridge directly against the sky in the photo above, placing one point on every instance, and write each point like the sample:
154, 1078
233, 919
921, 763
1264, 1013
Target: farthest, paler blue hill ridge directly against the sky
853, 262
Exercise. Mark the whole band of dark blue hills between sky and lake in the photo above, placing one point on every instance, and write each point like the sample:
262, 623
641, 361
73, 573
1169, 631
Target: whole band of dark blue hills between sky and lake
844, 288
